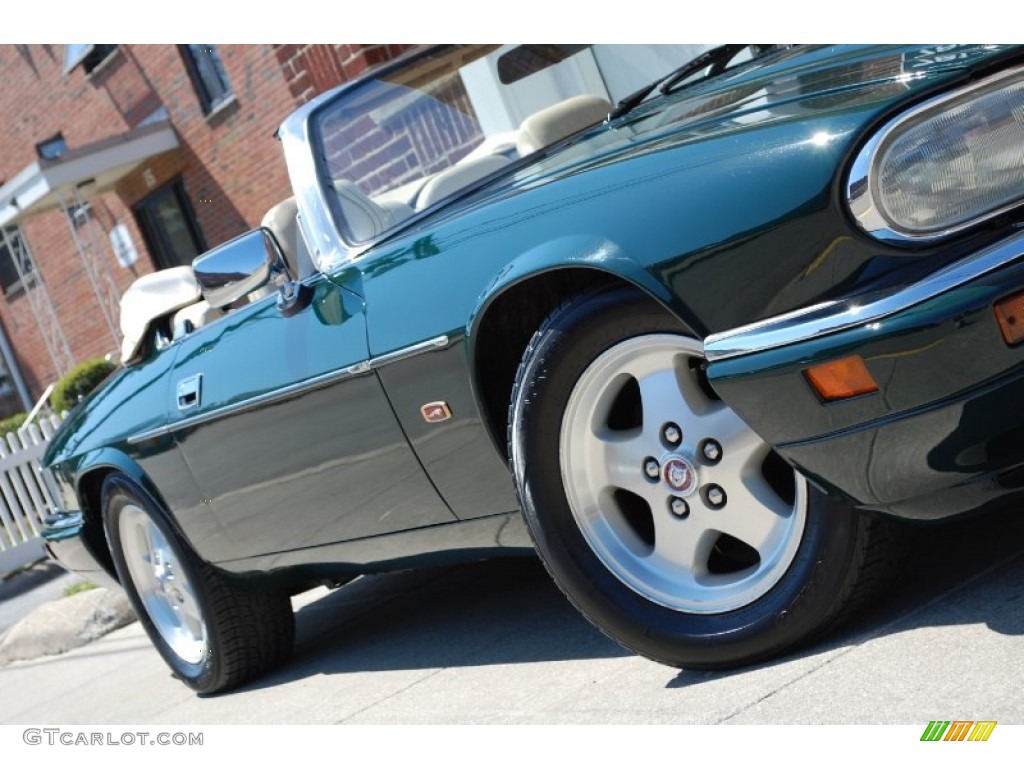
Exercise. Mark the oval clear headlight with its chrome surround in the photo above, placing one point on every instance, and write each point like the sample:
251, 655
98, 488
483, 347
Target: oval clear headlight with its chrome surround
946, 165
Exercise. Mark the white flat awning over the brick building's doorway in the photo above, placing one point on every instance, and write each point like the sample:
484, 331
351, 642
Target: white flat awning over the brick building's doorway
83, 173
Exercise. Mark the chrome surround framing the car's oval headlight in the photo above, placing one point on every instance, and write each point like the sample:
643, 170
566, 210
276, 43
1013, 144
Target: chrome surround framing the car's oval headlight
861, 188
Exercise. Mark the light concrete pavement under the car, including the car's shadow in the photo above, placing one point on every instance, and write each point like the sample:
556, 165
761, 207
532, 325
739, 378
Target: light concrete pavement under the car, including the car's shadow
496, 643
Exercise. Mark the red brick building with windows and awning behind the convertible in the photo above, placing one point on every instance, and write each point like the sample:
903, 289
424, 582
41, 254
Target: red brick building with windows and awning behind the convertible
117, 161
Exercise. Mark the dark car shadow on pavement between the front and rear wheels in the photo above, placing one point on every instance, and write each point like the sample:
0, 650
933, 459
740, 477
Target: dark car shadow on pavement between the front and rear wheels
494, 613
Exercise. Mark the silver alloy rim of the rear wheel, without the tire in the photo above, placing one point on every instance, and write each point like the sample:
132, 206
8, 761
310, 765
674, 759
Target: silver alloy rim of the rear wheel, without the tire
163, 585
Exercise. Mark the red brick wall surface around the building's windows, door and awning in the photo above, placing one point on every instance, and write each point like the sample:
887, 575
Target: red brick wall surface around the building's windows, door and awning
230, 162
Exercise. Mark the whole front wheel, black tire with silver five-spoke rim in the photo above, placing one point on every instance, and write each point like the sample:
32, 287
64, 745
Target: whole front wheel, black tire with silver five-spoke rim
668, 522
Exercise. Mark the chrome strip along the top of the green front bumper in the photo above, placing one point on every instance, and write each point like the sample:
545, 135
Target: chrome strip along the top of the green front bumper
833, 317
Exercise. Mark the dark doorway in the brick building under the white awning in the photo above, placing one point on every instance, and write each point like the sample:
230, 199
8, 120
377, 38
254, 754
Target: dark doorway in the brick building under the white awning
169, 227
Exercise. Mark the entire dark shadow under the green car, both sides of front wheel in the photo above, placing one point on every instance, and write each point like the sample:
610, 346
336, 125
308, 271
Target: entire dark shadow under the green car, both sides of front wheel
508, 612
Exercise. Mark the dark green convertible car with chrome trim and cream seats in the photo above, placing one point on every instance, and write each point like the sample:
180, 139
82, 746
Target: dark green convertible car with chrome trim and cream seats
696, 330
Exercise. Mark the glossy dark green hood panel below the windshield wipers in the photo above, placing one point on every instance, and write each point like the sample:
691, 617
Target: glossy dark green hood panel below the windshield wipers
796, 84
